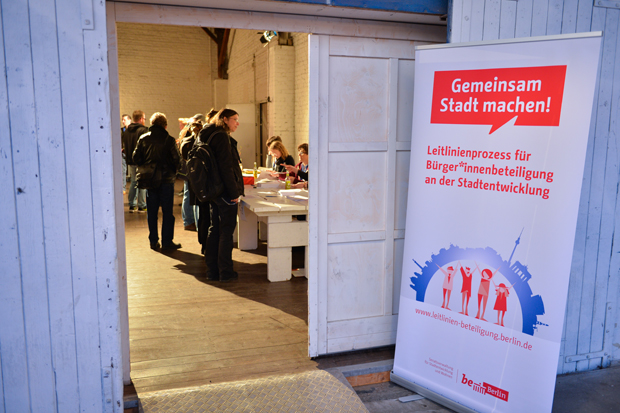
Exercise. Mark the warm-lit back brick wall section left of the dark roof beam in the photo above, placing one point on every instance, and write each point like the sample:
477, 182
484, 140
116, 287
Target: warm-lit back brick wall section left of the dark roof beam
165, 69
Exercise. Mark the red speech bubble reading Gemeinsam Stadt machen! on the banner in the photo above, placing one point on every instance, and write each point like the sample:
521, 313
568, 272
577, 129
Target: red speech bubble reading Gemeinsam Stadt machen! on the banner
495, 96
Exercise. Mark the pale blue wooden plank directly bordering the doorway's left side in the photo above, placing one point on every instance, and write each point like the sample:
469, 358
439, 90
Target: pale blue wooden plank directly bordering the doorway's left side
104, 217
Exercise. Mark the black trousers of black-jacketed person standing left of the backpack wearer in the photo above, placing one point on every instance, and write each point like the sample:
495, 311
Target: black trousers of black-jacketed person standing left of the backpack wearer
161, 197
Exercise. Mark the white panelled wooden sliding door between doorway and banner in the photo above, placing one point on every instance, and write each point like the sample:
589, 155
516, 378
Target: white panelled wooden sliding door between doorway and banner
361, 104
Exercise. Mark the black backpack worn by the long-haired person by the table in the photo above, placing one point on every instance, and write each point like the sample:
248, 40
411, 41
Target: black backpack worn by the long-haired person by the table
202, 171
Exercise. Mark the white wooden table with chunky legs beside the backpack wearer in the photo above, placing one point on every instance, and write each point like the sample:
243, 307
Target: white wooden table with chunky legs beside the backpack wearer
283, 232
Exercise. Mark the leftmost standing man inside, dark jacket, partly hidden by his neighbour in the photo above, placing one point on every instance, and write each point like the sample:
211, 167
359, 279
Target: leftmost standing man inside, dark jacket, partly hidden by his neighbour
130, 139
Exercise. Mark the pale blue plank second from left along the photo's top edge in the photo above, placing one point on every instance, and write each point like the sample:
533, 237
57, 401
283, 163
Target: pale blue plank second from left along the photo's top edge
53, 171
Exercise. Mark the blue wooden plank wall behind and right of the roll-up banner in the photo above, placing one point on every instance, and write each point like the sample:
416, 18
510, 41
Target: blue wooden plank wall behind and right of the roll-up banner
591, 326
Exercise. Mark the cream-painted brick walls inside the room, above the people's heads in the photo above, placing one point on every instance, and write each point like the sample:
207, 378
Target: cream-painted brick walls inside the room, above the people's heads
173, 69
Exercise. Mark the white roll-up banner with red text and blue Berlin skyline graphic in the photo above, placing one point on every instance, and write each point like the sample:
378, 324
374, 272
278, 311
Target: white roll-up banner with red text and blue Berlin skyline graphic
499, 140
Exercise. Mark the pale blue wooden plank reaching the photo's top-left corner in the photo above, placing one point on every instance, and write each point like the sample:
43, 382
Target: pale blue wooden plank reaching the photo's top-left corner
27, 180
